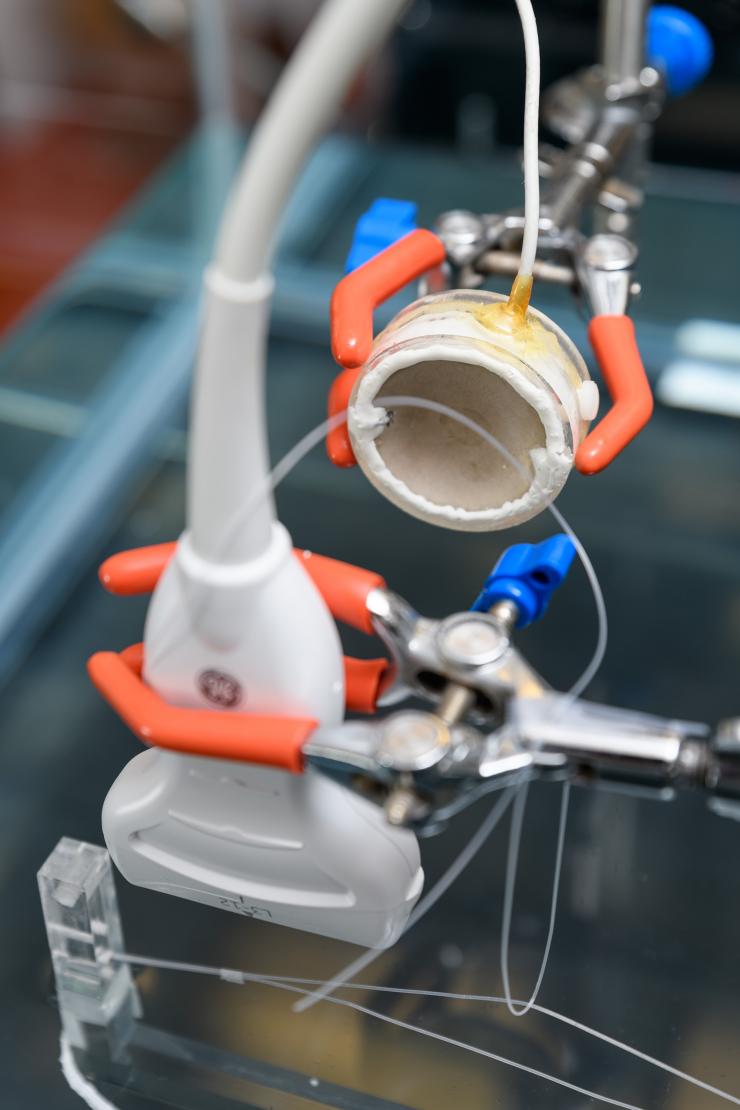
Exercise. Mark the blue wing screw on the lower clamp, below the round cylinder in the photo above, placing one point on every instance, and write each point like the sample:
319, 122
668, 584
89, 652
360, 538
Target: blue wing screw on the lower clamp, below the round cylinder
528, 574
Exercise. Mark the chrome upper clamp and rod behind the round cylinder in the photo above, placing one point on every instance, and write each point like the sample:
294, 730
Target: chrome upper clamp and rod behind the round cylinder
605, 116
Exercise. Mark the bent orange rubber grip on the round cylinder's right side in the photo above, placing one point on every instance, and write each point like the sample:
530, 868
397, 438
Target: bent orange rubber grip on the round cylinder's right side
615, 346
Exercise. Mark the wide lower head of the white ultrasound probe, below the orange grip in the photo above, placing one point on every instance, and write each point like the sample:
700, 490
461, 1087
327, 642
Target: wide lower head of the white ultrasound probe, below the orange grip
297, 851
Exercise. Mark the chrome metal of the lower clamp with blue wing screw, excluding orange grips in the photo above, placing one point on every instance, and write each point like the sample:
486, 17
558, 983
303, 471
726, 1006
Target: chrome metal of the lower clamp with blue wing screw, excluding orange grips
493, 721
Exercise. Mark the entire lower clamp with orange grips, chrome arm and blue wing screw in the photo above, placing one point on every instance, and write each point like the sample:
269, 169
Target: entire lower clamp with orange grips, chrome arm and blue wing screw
493, 720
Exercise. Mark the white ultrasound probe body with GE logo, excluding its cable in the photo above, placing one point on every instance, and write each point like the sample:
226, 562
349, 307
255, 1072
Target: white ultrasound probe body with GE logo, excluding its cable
296, 850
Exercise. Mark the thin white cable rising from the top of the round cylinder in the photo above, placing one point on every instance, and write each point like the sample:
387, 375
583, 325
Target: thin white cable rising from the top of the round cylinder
531, 138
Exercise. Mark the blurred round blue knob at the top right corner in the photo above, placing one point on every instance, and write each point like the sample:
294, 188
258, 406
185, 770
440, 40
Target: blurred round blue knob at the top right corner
681, 46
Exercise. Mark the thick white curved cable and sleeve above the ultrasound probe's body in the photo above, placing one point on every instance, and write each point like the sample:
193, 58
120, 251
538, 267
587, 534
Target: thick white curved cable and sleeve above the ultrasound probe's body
229, 450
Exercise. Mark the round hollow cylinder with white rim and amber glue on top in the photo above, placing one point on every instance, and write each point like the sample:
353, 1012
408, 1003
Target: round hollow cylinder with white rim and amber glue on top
526, 386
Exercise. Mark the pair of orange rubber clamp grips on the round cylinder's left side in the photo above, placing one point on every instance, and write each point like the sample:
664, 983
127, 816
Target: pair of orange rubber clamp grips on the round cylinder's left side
354, 300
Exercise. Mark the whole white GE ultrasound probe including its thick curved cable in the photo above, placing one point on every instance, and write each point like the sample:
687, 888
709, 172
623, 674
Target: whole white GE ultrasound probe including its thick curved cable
236, 622
